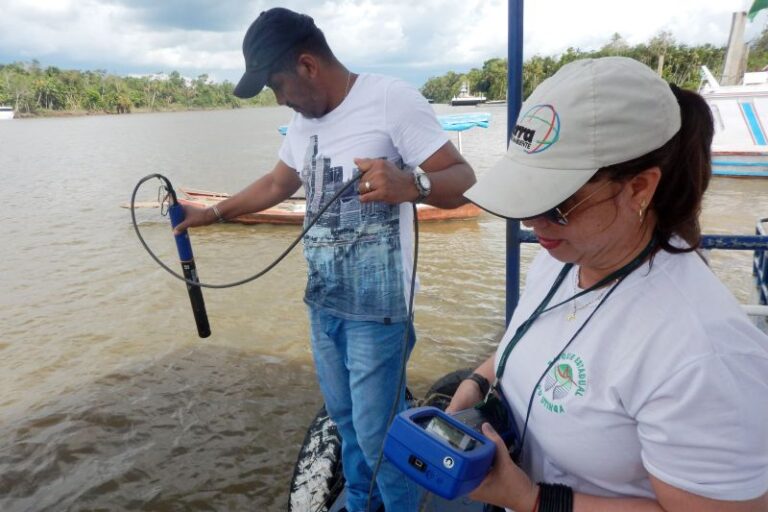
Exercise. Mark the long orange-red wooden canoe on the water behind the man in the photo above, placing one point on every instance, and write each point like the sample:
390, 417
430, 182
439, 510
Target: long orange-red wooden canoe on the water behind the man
291, 211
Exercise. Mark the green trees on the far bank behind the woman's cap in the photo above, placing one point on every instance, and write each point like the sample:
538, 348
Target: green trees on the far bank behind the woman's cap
680, 65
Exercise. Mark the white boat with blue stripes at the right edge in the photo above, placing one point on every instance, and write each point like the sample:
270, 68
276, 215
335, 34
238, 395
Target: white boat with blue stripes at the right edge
740, 113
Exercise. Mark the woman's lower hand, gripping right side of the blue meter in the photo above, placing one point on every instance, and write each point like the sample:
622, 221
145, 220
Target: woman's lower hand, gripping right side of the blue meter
506, 484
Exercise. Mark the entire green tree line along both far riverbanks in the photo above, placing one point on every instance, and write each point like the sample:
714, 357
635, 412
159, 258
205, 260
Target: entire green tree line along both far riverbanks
35, 90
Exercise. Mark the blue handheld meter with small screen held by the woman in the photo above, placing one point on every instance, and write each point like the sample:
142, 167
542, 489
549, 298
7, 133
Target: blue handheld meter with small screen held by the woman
444, 453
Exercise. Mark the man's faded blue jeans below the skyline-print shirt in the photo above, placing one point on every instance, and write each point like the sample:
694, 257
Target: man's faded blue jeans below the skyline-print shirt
358, 364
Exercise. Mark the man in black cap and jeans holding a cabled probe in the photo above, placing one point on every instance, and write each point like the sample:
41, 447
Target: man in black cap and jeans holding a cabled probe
360, 253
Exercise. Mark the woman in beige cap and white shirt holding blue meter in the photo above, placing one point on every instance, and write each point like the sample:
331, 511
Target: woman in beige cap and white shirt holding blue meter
635, 380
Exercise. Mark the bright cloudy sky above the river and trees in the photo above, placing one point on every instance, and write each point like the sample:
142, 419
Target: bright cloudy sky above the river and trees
412, 39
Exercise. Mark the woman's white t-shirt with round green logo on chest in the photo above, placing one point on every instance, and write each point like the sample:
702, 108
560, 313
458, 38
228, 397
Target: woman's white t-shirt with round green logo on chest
669, 378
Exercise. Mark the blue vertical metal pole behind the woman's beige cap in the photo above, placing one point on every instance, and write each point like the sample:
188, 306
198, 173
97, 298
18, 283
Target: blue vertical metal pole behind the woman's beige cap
514, 100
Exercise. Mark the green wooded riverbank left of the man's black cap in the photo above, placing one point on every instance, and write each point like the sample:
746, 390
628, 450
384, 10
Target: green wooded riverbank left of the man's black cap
33, 90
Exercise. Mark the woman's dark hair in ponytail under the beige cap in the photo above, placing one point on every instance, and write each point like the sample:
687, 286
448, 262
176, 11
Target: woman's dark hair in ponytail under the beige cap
686, 167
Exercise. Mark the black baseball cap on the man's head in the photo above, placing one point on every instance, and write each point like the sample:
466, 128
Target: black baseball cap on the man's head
273, 33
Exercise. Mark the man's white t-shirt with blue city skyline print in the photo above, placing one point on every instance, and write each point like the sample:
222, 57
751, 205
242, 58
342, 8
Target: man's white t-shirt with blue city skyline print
360, 255
